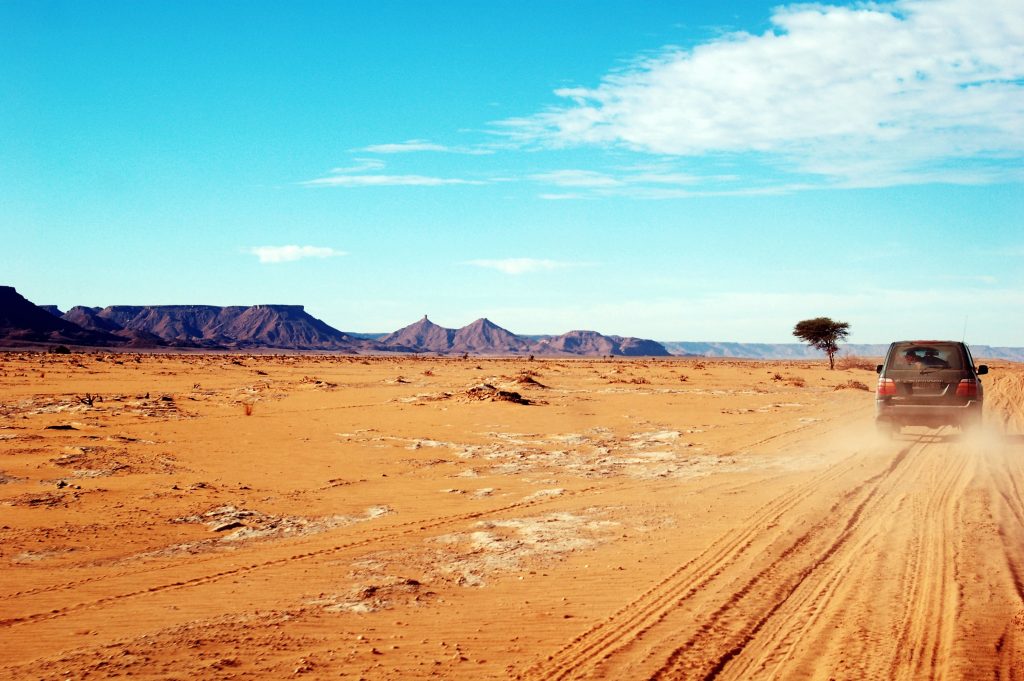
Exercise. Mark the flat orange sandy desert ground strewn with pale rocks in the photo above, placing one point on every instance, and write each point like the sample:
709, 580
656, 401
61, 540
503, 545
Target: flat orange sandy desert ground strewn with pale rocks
235, 518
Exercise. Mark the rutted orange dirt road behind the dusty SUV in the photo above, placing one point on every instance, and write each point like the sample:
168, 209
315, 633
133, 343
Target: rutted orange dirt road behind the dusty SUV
899, 567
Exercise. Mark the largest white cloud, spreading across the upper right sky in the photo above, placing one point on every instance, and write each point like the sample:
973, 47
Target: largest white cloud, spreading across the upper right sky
874, 95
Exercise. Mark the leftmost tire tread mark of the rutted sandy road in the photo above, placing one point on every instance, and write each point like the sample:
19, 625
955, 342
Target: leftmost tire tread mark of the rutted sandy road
630, 622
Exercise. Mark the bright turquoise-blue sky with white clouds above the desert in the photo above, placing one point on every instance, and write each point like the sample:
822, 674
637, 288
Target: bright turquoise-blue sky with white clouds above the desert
705, 172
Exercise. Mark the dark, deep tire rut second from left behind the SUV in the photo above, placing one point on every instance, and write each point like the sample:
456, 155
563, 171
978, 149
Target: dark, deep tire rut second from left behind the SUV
677, 664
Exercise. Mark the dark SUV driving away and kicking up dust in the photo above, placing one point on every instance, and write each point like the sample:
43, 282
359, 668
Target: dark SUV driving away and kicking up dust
928, 384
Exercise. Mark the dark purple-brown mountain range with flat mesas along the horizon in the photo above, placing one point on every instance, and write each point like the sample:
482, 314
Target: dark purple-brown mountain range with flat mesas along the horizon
291, 328
